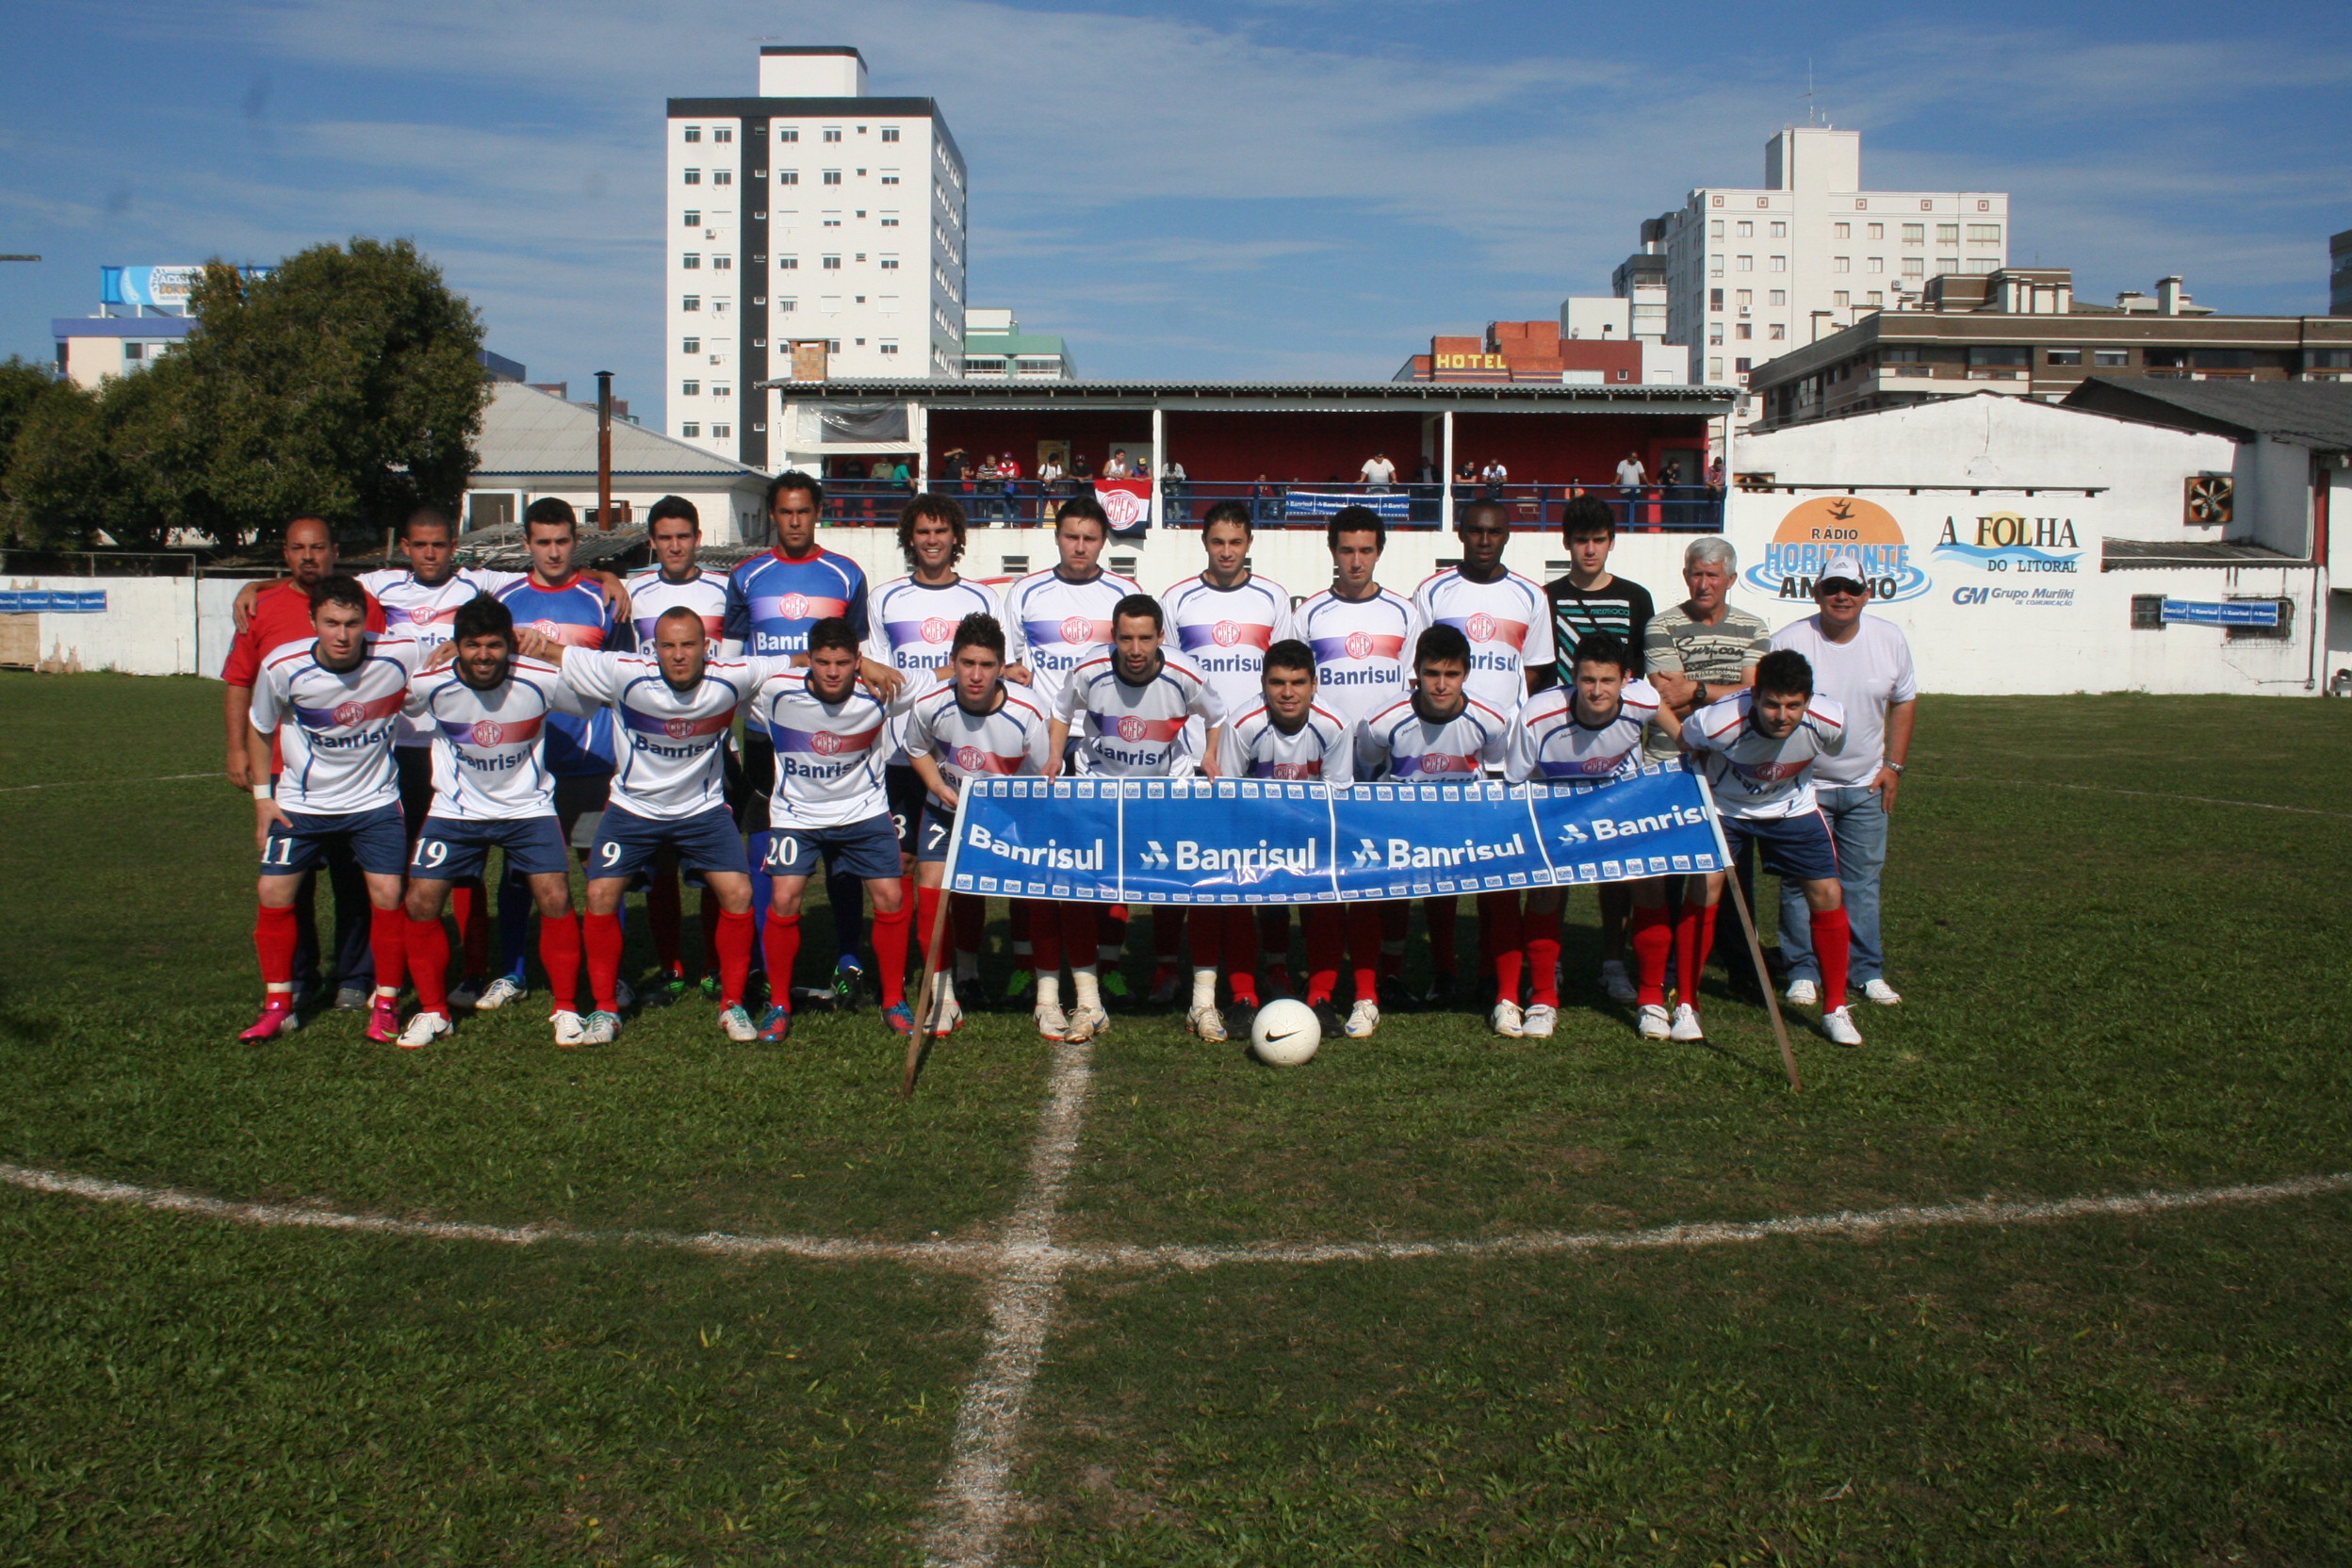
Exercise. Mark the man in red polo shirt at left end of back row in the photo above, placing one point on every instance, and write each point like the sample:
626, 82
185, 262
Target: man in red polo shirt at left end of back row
281, 615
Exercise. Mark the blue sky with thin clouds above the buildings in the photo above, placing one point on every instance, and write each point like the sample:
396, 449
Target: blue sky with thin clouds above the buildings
1208, 192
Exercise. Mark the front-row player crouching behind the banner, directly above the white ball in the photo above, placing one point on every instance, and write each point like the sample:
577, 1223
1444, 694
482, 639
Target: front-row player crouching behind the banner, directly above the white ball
1285, 735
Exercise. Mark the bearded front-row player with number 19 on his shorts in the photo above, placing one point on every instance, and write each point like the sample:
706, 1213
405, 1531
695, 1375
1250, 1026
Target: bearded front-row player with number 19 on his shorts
488, 716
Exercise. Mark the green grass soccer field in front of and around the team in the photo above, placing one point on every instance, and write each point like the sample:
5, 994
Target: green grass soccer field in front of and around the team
2120, 927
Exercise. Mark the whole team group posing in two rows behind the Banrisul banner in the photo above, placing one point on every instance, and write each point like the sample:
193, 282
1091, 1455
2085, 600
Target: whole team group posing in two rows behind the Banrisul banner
401, 725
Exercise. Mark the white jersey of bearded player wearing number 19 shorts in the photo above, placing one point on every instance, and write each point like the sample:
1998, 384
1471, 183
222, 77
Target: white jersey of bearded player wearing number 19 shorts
490, 758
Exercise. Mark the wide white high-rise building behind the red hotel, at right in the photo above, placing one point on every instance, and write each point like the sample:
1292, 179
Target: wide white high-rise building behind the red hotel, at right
1756, 274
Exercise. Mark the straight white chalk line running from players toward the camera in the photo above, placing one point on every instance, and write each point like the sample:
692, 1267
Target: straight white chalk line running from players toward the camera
975, 1499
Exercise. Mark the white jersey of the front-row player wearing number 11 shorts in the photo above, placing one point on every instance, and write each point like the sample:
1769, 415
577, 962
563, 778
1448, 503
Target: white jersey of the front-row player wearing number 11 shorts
338, 753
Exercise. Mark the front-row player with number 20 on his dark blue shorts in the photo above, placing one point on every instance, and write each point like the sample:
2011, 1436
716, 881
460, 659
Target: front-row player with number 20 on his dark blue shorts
831, 737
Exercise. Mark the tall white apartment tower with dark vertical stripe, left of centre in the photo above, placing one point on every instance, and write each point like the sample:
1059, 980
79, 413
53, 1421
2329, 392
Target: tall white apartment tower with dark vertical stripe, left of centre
806, 213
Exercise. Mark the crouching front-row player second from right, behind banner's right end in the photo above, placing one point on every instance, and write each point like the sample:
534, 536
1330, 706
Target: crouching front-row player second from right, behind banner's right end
1582, 732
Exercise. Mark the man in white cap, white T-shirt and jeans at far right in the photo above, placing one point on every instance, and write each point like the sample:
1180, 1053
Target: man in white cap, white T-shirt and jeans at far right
1864, 664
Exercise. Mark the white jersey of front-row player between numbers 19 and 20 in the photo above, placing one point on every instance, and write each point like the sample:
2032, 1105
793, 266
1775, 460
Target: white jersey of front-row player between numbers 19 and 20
671, 744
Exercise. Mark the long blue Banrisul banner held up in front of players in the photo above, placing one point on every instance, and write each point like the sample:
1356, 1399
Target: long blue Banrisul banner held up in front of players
1248, 840
